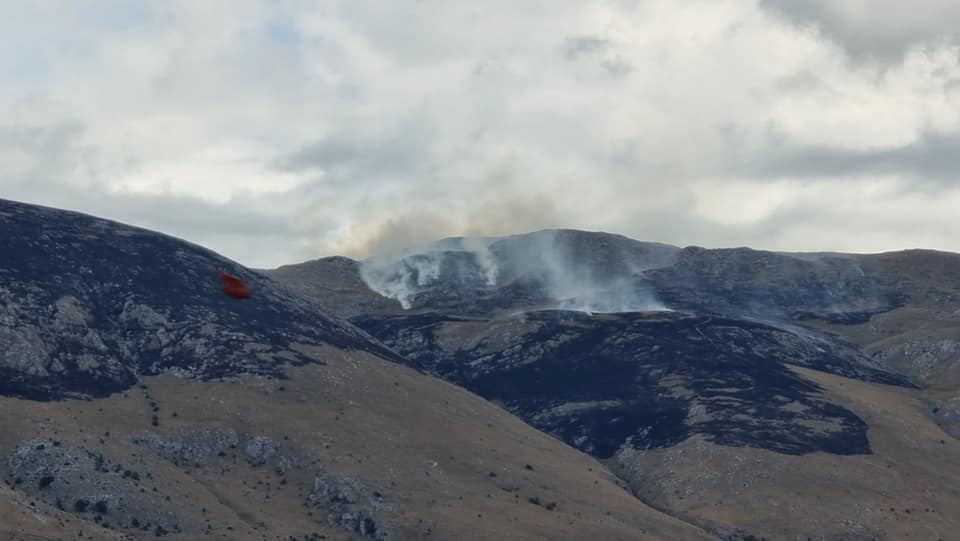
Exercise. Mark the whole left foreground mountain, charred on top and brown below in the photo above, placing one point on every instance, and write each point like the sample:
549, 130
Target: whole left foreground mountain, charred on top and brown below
138, 401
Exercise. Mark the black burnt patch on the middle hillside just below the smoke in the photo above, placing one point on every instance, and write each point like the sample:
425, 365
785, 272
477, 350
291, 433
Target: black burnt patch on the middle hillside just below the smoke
644, 380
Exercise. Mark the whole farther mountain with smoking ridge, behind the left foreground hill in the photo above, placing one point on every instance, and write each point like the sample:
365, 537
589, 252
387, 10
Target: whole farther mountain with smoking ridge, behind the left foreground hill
791, 396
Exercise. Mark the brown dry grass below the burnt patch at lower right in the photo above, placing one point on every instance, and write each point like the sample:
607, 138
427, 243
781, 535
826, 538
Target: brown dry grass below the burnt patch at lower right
908, 489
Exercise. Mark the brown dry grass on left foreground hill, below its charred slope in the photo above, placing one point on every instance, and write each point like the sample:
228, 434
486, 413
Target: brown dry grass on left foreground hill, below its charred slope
428, 446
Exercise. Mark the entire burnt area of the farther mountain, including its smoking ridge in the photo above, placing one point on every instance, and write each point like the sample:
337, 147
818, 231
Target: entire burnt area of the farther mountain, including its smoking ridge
489, 314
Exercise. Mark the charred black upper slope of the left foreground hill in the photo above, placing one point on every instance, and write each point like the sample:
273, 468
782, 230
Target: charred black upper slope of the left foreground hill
87, 305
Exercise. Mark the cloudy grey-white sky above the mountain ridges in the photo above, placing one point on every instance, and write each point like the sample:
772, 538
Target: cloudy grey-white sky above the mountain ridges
280, 131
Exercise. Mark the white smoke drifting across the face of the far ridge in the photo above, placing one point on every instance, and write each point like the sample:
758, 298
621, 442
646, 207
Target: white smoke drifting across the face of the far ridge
558, 269
